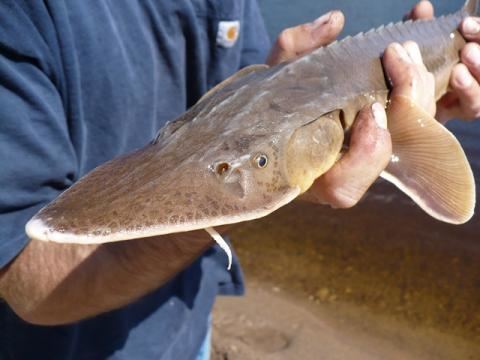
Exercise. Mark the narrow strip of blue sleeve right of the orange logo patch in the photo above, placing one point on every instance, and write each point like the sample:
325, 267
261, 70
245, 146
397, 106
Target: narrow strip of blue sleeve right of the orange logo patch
256, 42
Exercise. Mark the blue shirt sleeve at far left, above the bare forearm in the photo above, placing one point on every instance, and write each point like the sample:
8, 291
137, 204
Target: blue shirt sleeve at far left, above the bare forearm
36, 155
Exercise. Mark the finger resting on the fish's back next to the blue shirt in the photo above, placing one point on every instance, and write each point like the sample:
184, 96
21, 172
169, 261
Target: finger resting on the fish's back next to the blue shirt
300, 39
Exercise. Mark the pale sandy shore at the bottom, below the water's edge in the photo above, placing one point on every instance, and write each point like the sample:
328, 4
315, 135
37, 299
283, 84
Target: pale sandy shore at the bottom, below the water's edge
268, 324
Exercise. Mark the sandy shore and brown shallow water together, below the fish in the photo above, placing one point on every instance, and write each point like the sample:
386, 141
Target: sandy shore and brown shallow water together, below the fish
381, 280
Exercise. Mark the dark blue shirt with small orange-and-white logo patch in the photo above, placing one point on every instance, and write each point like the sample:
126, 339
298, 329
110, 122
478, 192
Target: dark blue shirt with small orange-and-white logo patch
82, 82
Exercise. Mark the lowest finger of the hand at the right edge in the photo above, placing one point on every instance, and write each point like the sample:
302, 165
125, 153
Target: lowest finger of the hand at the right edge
467, 90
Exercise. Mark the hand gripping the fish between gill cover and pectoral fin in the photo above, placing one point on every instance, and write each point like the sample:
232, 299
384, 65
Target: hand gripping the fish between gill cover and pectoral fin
370, 144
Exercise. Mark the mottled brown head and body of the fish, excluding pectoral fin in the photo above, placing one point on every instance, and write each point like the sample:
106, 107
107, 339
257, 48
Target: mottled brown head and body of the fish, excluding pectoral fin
203, 169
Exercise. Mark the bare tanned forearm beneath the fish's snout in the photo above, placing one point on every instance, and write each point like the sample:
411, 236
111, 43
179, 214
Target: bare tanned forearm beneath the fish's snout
52, 283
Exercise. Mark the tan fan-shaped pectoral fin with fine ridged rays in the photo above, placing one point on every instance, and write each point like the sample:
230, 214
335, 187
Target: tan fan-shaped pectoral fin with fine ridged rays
428, 163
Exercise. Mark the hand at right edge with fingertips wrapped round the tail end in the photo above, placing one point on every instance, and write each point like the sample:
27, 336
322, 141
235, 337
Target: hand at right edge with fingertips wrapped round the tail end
463, 99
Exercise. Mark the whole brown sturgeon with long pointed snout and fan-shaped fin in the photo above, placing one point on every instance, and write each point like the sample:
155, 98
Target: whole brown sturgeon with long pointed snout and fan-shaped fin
258, 140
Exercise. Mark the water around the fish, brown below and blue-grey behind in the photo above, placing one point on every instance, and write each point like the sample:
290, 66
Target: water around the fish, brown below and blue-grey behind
384, 261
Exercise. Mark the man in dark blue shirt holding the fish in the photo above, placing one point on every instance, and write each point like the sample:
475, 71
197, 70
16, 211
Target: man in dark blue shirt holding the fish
81, 85
